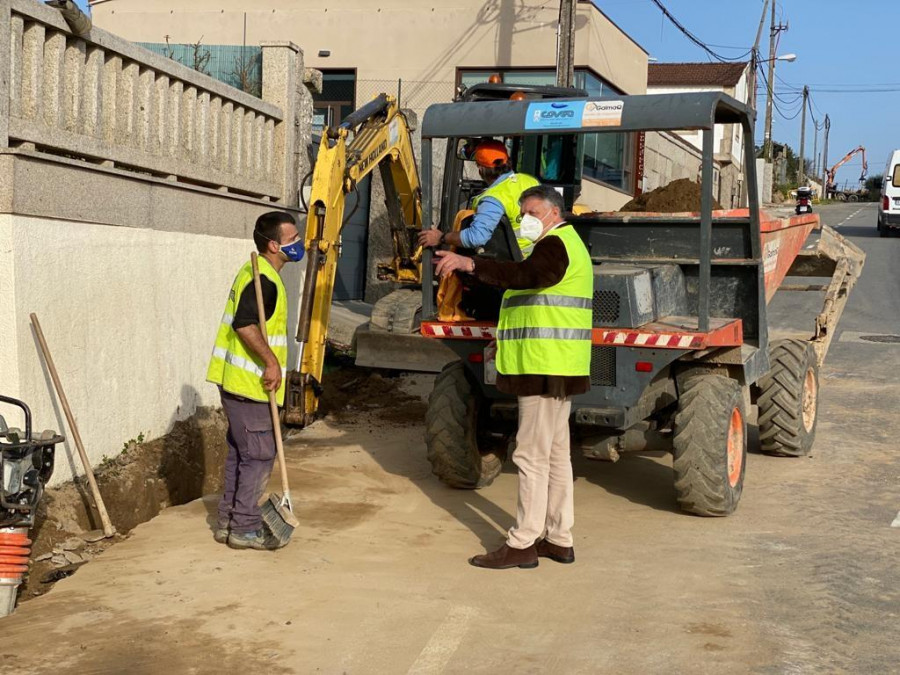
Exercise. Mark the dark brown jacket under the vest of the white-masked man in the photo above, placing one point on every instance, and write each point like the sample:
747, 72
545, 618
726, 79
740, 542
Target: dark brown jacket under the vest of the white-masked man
545, 267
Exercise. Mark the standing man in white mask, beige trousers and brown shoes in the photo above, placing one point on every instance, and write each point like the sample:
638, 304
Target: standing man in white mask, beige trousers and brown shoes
544, 358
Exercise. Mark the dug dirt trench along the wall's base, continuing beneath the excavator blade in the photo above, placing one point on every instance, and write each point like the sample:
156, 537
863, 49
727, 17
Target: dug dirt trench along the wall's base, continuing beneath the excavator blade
181, 466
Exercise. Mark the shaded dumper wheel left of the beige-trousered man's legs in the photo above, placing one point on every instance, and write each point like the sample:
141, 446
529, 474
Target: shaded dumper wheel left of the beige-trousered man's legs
455, 424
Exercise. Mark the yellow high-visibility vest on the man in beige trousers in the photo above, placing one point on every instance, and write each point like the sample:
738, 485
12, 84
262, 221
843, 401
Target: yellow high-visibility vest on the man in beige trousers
547, 331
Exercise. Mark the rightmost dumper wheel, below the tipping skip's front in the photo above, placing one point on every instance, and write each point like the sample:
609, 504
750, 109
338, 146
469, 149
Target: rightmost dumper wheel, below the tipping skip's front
788, 399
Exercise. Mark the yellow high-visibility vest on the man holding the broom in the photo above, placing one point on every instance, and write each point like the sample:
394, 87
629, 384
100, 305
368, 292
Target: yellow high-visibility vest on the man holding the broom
233, 366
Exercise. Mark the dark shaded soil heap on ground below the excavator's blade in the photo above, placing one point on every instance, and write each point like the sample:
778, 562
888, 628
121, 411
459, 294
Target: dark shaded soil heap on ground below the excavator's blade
349, 391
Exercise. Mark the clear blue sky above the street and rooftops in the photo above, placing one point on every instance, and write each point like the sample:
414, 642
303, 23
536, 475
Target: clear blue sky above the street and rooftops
840, 45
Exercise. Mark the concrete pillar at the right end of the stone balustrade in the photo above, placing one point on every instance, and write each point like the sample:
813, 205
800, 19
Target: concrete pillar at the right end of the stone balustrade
282, 85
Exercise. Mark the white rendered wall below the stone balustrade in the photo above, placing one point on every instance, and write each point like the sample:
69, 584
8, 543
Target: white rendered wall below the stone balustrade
130, 315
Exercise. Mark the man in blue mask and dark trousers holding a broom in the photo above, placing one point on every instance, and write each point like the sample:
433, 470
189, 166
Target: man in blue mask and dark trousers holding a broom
246, 367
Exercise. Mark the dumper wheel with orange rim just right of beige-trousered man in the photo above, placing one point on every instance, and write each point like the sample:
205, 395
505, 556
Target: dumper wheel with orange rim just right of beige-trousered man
710, 445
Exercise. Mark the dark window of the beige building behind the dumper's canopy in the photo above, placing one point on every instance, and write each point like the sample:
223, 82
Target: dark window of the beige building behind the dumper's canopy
608, 157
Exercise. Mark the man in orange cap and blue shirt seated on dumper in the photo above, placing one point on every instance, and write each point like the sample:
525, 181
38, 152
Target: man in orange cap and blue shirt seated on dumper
499, 199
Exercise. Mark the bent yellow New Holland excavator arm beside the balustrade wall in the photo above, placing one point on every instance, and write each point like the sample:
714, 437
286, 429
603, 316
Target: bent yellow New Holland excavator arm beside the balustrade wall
381, 138
